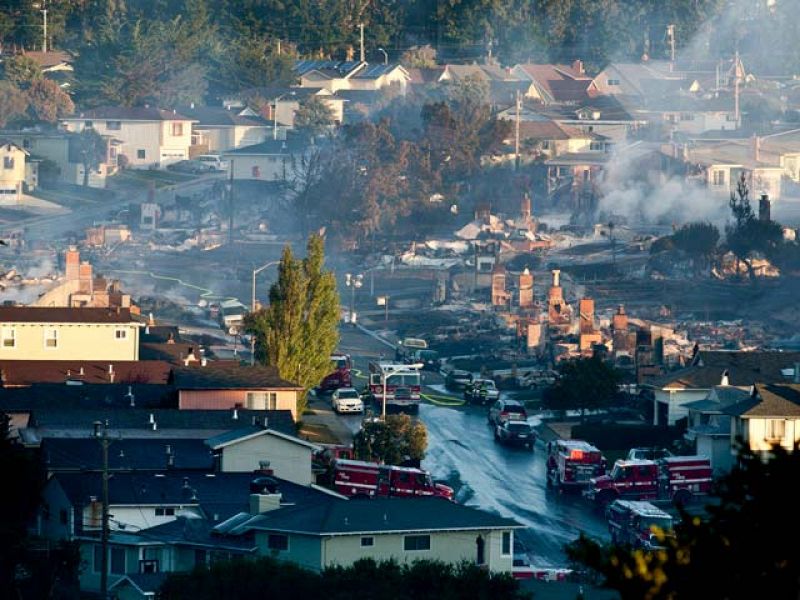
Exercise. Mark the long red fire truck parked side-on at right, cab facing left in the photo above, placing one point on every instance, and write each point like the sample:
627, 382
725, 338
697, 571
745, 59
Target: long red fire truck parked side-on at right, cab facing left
677, 478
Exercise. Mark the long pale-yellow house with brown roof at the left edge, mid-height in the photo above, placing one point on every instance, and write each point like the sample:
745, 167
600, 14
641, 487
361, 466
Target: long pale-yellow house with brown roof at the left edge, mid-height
44, 333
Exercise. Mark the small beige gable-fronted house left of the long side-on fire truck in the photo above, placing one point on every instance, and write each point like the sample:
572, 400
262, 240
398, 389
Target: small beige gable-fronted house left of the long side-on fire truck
245, 450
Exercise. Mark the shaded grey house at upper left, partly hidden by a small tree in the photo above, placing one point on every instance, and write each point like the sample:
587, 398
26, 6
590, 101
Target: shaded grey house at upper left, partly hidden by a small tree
64, 151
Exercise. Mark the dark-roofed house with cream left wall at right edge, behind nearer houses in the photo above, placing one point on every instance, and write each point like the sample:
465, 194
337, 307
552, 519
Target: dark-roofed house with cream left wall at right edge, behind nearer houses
673, 391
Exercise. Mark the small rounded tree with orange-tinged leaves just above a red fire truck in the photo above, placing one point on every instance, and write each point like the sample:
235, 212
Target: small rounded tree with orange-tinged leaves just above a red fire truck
394, 441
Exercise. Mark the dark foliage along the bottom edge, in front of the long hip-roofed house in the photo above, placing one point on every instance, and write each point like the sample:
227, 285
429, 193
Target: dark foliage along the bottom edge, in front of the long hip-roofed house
365, 579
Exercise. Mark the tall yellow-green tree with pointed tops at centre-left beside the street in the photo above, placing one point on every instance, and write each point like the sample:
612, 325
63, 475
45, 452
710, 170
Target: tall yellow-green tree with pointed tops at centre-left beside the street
298, 330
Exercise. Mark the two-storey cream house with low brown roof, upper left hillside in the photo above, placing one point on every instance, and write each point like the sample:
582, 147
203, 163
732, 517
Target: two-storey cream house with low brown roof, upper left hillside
151, 137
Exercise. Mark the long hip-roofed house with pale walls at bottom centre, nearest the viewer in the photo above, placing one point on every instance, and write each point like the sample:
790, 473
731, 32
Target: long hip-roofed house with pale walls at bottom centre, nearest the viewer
340, 532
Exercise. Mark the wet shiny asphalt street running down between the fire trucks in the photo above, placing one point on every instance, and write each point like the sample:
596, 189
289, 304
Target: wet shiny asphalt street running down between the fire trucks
506, 481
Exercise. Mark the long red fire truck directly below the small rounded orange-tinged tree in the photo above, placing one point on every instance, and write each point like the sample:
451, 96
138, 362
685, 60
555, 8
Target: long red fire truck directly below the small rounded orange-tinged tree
360, 478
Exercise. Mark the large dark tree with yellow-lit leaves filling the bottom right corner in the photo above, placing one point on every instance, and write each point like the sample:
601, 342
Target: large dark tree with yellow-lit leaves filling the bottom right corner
725, 555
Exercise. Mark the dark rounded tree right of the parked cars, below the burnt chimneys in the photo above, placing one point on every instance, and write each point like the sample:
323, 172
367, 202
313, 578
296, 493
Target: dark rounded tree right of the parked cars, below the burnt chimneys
585, 383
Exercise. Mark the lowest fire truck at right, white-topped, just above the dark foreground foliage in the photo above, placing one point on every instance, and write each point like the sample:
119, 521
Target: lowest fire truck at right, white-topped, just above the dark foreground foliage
632, 523
